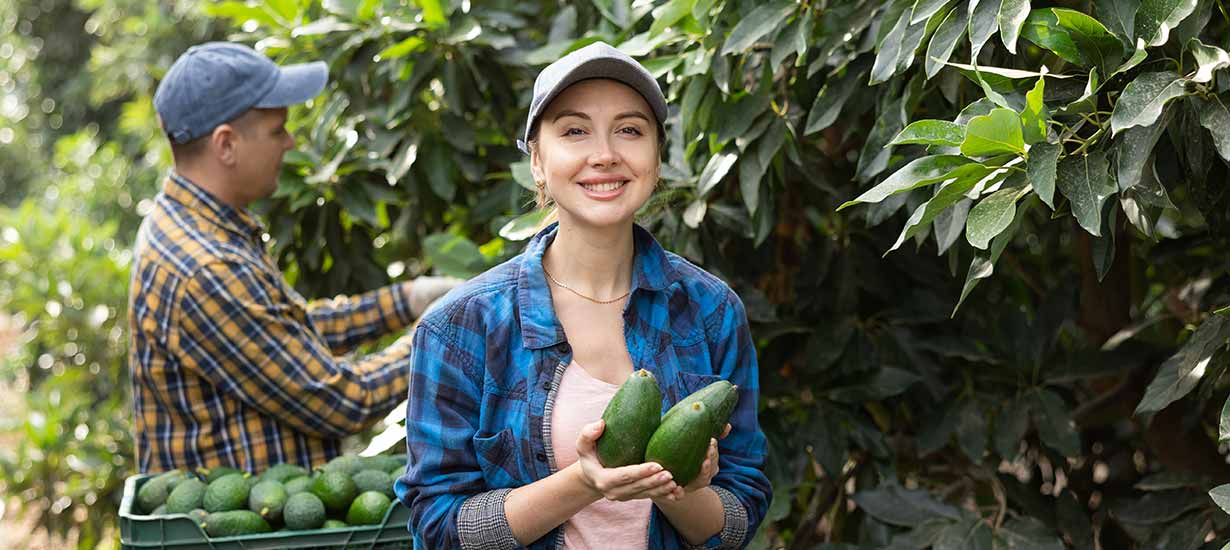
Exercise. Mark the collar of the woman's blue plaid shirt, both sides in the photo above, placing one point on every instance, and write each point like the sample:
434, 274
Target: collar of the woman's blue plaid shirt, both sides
541, 328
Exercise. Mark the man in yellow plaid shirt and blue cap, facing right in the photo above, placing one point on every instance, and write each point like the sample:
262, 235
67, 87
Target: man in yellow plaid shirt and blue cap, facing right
231, 366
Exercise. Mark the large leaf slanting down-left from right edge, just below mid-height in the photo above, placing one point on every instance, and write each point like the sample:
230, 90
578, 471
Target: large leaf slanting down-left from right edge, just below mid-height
1181, 372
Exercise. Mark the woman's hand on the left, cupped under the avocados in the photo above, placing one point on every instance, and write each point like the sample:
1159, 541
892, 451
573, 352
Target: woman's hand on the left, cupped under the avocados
630, 483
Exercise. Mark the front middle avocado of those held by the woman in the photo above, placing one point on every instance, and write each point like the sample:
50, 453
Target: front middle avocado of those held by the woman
682, 442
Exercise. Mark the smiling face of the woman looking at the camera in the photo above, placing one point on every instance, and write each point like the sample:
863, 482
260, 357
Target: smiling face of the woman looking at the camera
598, 153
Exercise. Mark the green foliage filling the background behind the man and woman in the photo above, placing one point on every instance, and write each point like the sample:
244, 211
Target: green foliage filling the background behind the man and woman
1073, 399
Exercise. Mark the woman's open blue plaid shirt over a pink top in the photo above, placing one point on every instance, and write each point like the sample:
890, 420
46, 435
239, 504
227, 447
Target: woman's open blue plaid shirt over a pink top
486, 365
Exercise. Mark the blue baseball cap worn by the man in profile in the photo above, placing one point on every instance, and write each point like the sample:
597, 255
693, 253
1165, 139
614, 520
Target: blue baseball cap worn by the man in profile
216, 83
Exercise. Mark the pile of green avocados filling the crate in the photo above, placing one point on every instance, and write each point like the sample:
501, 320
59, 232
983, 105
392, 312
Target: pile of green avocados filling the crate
347, 492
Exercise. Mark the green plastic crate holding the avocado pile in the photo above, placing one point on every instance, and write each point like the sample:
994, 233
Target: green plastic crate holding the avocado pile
179, 532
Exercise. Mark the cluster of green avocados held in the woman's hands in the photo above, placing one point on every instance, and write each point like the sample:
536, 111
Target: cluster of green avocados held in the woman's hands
678, 441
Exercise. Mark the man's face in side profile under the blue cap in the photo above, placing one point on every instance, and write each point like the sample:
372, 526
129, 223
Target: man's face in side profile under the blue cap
263, 140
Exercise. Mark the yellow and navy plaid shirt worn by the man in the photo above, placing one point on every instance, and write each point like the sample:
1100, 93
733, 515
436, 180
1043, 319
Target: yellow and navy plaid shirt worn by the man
229, 365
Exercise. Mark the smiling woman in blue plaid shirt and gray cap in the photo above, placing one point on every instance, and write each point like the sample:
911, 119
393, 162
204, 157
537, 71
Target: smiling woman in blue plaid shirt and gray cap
512, 371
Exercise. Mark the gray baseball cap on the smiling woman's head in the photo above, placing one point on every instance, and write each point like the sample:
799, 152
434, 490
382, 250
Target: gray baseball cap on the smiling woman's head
597, 61
